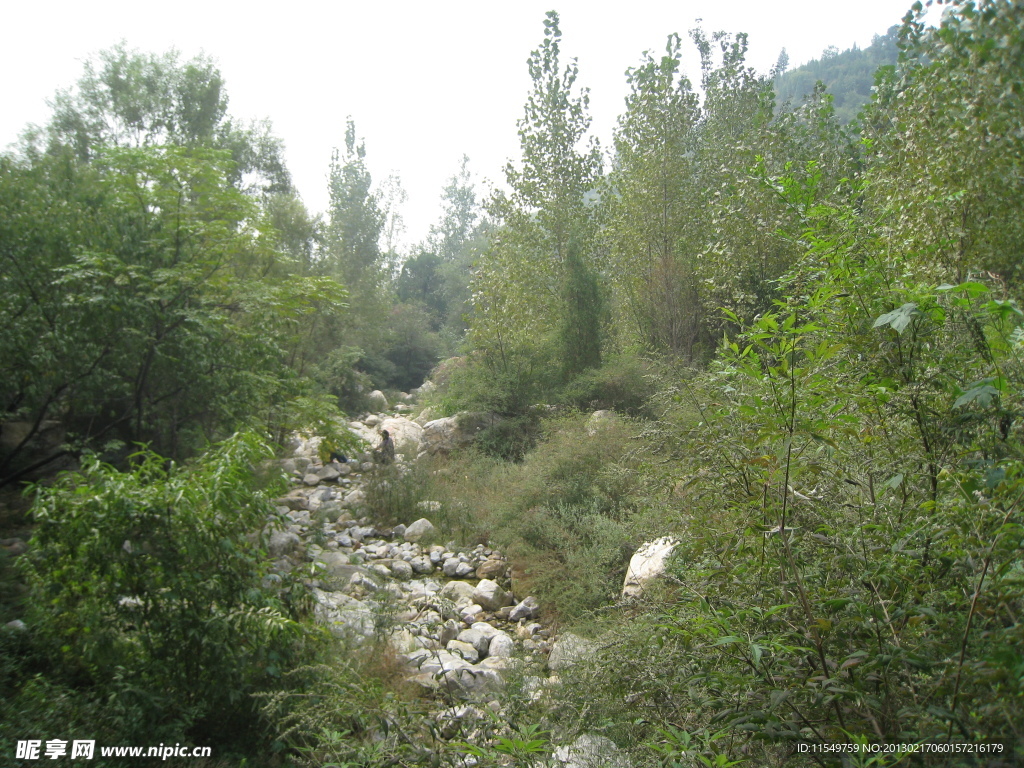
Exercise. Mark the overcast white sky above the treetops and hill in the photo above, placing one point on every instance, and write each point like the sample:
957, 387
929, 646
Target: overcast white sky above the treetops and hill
424, 82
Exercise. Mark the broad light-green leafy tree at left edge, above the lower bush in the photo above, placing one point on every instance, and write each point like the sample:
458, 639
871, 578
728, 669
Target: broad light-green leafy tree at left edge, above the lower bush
150, 300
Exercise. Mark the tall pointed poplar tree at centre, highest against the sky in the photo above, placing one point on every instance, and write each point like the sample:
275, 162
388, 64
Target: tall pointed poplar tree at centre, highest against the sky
520, 291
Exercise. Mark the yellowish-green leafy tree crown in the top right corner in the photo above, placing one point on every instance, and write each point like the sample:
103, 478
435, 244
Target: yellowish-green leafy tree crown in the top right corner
948, 142
